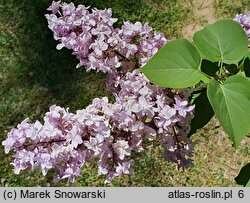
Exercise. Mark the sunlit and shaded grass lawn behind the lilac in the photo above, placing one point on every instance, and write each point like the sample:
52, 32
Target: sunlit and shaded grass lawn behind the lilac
34, 75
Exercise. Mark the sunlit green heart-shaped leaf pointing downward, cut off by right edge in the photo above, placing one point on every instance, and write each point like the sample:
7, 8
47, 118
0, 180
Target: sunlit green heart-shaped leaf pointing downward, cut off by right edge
231, 102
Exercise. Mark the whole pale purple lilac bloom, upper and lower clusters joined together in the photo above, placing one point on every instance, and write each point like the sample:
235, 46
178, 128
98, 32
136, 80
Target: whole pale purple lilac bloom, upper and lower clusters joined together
110, 132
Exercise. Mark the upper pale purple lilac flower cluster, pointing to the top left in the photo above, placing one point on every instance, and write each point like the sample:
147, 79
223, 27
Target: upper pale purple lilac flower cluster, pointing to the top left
94, 40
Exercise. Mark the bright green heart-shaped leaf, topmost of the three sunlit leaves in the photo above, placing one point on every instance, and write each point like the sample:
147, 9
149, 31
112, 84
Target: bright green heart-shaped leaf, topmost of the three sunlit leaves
223, 41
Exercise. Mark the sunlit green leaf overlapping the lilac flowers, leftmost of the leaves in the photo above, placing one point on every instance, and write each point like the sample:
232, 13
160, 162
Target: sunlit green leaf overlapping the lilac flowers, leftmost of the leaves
175, 65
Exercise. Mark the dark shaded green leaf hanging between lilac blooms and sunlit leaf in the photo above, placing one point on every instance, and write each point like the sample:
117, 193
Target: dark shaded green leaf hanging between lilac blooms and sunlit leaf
203, 113
